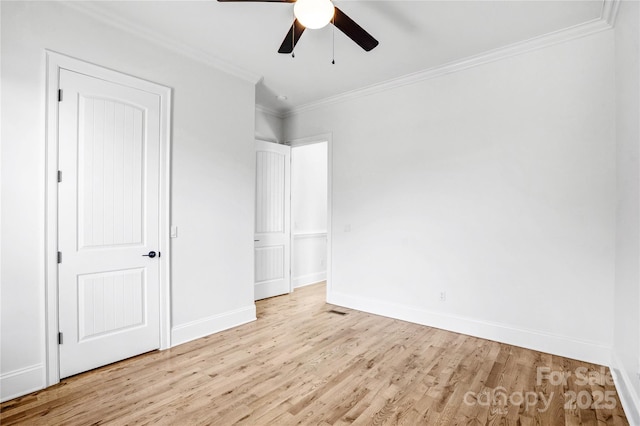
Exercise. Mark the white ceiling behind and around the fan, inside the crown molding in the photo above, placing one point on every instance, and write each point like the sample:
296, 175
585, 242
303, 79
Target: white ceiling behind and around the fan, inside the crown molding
414, 36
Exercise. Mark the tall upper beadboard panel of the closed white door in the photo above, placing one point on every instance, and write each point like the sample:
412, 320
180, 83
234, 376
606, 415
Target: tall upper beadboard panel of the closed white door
110, 167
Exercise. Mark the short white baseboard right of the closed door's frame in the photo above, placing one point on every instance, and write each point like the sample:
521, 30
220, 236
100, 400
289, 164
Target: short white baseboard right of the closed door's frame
196, 329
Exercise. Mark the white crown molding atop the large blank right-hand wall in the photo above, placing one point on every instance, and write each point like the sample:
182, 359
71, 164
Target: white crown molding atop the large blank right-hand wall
604, 22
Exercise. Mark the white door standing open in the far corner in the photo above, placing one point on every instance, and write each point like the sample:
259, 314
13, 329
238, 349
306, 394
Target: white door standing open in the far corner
272, 227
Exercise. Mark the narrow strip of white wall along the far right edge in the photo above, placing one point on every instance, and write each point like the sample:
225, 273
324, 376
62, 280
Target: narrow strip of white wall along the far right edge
626, 348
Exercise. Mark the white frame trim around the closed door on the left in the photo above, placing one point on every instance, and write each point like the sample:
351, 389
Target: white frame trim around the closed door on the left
54, 63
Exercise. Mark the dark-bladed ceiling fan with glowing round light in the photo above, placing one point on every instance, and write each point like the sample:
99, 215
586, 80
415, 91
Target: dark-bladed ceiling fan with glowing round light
315, 14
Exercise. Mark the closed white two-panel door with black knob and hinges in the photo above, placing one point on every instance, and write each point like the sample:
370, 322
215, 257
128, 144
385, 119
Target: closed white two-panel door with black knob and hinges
109, 143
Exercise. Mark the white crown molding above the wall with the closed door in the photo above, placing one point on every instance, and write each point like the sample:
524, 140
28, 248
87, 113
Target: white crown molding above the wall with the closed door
88, 8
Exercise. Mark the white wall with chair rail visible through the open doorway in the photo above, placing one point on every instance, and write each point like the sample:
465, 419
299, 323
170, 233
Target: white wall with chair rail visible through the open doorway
309, 213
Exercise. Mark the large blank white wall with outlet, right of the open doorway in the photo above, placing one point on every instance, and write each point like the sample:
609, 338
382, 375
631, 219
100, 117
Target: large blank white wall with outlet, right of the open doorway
496, 185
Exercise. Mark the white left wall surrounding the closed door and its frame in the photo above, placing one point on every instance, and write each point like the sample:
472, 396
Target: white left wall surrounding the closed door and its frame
212, 180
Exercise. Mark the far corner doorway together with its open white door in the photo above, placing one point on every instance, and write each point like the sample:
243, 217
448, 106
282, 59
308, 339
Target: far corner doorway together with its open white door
292, 236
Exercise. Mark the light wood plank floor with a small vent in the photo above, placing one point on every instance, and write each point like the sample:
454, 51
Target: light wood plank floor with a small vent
300, 363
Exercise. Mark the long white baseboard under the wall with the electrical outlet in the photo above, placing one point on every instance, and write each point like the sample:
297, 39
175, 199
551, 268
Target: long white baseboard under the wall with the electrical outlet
592, 352
